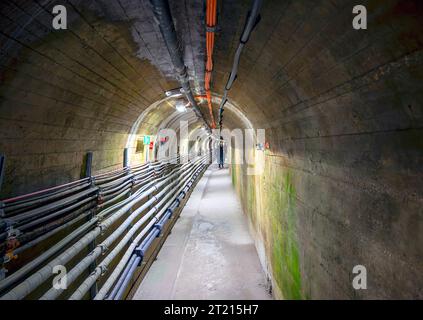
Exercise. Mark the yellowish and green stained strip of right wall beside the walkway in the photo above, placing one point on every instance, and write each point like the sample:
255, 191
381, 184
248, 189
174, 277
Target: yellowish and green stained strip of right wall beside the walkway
278, 223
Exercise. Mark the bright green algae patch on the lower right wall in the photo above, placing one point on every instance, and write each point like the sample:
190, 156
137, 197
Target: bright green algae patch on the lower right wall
284, 258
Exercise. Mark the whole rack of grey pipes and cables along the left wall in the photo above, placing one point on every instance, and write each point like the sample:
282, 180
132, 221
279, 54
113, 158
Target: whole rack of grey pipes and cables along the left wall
155, 180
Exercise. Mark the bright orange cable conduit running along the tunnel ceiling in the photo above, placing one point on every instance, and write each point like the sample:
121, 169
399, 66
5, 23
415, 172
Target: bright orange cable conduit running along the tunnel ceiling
210, 31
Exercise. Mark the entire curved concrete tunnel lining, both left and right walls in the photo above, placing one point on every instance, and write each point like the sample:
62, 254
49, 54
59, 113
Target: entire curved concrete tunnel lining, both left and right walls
342, 110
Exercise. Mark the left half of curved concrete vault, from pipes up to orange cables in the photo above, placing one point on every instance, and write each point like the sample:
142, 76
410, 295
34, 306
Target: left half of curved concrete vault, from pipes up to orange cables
67, 92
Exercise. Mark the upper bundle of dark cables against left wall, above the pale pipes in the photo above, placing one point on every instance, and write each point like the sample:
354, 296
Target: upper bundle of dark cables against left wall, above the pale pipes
34, 215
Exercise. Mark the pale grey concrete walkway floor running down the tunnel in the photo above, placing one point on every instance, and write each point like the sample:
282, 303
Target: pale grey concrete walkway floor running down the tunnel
210, 253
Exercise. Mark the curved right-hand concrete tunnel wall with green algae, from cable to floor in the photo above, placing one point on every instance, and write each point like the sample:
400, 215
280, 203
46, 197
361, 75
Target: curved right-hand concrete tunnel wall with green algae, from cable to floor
342, 184
